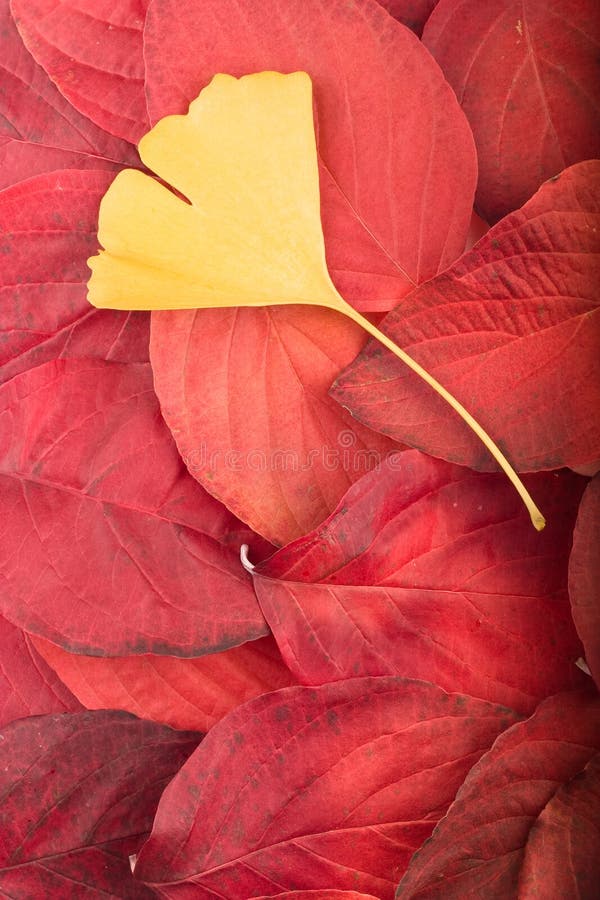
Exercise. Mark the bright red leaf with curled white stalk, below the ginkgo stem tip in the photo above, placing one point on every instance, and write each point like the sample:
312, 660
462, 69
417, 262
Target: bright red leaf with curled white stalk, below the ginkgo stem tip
427, 570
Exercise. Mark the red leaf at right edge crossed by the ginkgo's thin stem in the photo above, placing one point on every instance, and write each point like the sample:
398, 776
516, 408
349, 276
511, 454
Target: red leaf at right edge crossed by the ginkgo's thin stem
511, 330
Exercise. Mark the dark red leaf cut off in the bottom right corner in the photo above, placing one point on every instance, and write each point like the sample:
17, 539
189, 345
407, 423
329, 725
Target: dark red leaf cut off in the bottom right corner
563, 848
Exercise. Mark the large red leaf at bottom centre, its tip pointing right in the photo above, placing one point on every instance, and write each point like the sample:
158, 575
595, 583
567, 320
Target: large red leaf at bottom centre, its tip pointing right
309, 788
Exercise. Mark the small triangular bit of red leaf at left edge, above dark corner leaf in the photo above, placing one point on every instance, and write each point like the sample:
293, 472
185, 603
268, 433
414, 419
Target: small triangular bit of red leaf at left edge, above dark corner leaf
28, 687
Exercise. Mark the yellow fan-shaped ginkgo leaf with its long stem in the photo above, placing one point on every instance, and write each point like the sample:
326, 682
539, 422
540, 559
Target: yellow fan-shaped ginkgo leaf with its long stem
244, 227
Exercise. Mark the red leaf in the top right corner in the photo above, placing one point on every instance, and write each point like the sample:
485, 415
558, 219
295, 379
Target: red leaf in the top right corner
526, 75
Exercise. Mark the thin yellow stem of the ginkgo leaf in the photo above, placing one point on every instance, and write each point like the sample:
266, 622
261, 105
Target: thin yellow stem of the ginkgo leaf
534, 513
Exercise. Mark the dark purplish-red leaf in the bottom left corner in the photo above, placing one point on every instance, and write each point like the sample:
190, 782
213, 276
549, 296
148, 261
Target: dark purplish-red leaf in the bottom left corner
78, 793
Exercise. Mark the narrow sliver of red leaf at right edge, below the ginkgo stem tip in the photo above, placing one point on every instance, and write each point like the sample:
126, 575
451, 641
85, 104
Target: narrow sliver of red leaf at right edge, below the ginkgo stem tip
584, 576
